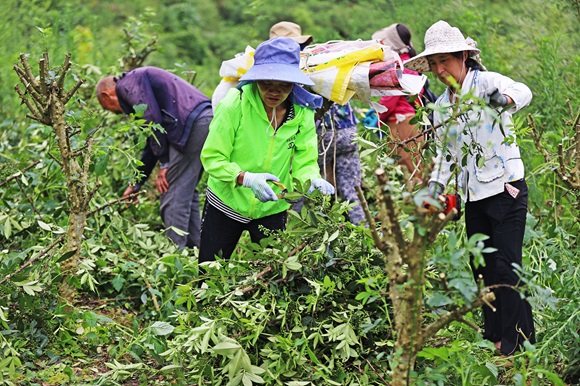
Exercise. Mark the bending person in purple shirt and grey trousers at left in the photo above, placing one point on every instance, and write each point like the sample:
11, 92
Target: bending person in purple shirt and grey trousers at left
185, 113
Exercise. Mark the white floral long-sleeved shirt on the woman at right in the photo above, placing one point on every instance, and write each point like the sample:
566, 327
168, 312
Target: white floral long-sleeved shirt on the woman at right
475, 135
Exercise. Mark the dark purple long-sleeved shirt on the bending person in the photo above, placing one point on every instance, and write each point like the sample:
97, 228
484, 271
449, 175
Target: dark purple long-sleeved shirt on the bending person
170, 101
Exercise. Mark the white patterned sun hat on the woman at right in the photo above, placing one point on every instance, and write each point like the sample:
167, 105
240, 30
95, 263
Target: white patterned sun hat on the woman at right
440, 38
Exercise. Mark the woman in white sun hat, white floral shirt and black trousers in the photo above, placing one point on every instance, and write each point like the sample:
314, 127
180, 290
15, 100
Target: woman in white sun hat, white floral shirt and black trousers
481, 145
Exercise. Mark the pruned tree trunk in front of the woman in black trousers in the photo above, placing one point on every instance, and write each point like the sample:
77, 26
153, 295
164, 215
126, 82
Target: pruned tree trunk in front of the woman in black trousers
405, 267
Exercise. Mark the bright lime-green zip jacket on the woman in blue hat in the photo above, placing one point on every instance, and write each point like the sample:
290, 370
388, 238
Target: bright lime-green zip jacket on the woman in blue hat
242, 139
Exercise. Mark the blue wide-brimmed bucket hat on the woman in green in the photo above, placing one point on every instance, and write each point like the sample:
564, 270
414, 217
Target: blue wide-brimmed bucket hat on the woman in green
277, 59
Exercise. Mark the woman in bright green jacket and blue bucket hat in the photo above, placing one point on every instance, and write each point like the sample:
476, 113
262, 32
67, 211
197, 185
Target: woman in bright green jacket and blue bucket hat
263, 131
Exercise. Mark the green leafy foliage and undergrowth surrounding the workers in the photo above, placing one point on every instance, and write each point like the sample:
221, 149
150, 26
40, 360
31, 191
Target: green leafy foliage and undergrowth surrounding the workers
140, 314
